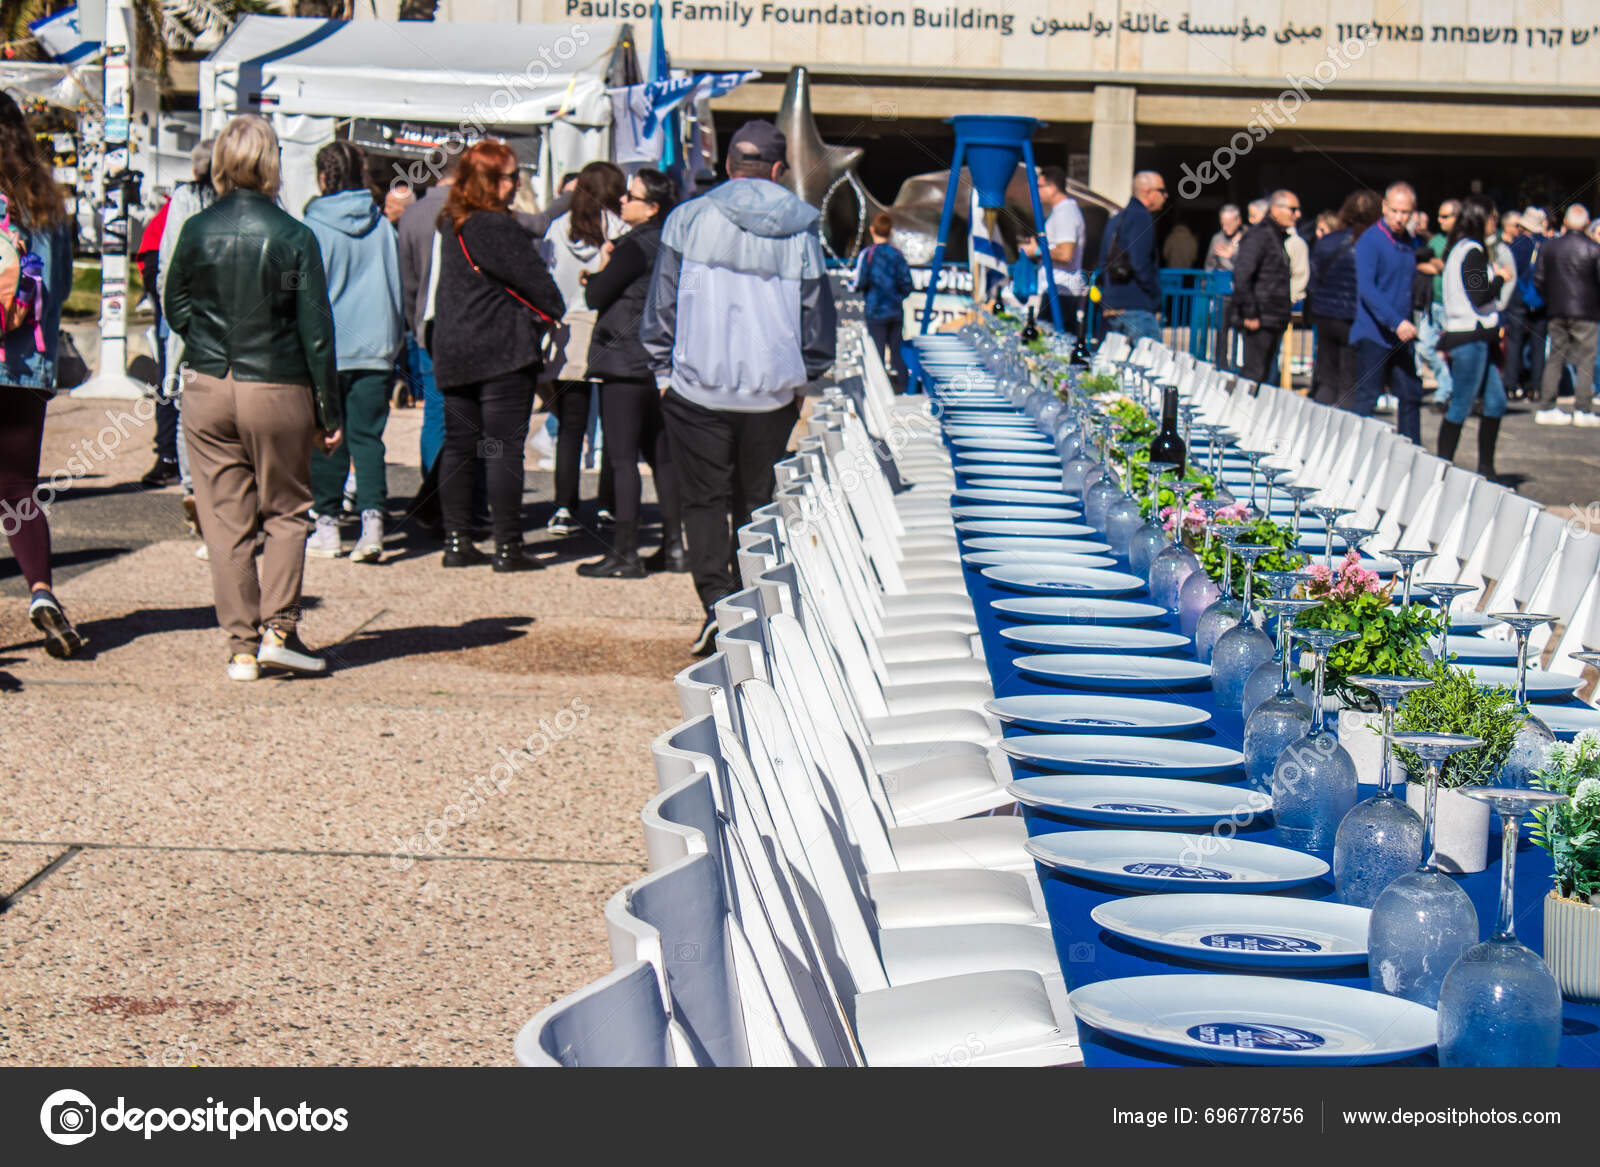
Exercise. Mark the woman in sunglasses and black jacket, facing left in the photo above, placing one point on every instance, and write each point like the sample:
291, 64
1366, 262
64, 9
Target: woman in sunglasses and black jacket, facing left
630, 401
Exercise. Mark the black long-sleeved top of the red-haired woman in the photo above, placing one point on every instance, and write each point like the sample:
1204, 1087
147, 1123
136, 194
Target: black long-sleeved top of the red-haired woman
481, 331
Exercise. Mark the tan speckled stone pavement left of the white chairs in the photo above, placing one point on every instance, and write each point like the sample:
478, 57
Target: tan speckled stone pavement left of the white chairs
394, 865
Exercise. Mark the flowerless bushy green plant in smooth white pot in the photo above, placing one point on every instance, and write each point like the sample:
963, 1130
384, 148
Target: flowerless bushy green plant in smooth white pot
1457, 704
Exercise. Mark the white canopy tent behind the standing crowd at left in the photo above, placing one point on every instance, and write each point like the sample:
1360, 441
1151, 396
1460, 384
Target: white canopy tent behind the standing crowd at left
308, 74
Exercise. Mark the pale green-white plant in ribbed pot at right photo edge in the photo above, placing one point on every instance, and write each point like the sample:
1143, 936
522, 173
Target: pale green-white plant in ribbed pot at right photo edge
1570, 832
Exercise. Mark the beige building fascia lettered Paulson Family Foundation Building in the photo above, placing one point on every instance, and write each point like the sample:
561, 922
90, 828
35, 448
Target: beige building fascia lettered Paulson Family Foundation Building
1490, 44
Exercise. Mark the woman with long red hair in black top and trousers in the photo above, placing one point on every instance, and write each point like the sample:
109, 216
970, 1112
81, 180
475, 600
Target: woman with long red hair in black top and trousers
494, 303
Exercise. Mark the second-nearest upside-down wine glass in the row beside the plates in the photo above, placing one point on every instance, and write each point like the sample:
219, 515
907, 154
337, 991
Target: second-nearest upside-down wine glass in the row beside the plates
1423, 921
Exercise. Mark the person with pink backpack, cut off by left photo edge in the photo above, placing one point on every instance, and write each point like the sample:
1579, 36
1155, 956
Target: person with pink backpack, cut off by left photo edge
36, 276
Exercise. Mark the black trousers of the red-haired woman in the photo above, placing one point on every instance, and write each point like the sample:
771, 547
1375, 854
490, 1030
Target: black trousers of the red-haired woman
486, 420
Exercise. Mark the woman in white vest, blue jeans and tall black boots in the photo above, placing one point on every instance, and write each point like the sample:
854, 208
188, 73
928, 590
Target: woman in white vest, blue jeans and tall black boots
1471, 337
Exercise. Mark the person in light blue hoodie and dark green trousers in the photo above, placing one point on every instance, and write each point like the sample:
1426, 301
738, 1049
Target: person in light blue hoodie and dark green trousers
361, 254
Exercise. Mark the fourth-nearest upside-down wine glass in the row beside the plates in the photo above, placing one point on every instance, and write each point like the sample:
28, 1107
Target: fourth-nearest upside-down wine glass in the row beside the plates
1314, 779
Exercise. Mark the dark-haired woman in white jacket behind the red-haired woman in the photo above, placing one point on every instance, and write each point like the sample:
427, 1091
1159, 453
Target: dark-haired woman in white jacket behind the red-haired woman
575, 244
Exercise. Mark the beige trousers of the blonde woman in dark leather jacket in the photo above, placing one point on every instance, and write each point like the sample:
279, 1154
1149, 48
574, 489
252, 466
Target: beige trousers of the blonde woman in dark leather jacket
250, 457
